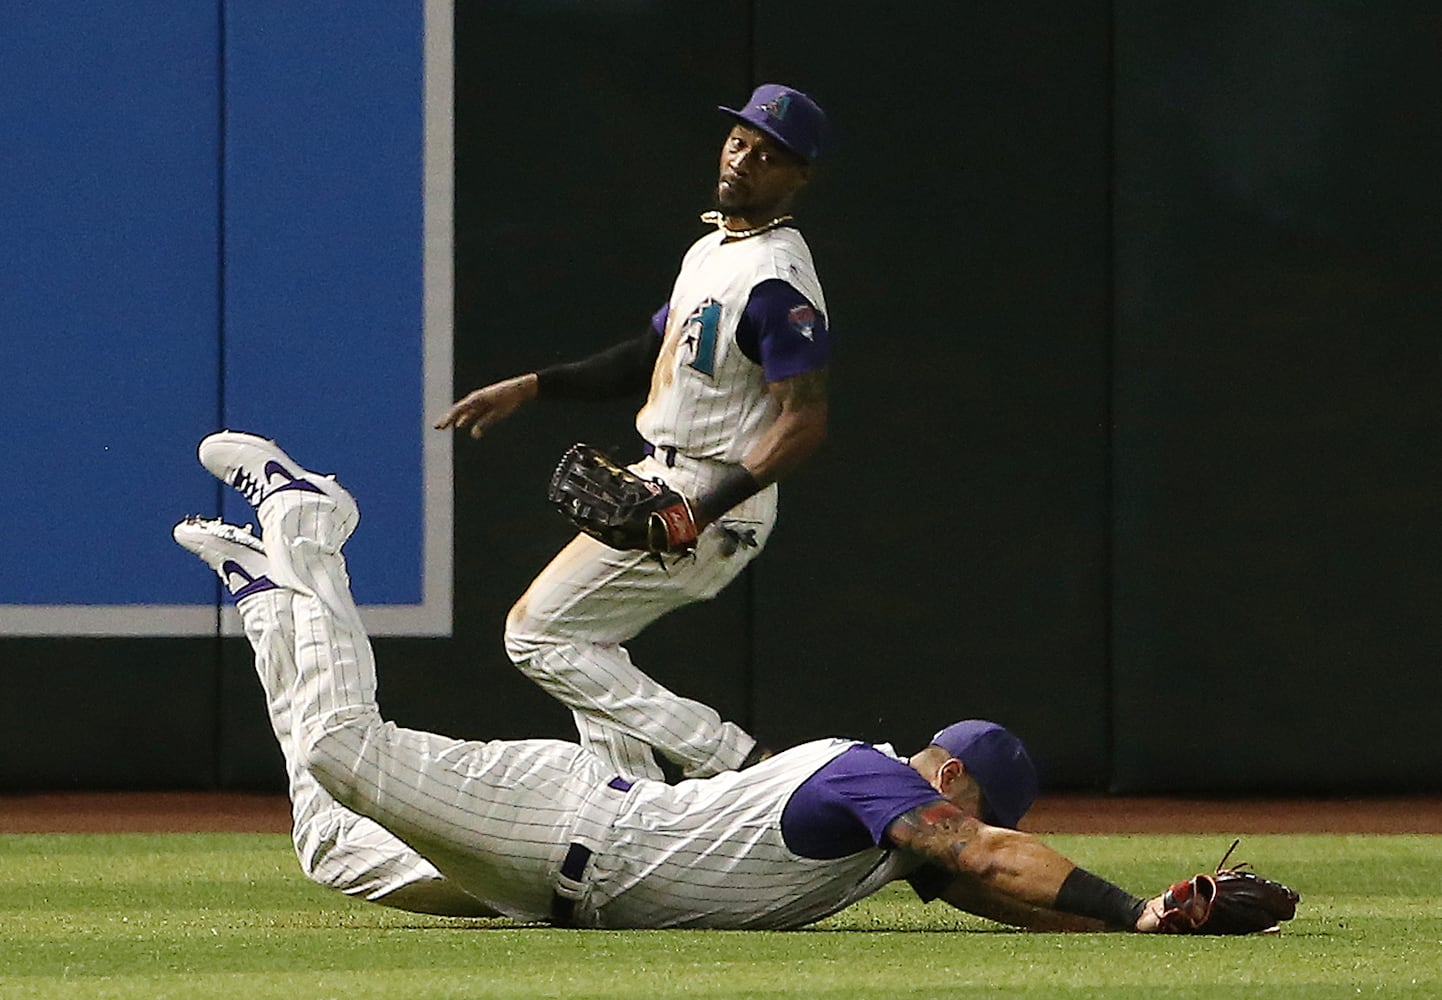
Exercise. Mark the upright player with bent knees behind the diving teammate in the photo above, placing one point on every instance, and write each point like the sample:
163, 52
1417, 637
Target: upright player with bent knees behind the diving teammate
736, 366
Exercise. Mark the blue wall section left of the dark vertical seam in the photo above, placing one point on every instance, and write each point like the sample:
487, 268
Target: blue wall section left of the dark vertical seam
109, 310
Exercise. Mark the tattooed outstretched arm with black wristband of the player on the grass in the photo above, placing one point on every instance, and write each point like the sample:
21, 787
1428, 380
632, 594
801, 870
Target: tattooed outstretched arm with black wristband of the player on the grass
1012, 875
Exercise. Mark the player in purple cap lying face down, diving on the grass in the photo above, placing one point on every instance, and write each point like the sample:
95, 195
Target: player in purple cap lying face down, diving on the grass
546, 830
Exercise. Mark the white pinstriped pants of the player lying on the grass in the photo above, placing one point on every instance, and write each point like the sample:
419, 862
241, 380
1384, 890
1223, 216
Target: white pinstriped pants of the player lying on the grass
394, 816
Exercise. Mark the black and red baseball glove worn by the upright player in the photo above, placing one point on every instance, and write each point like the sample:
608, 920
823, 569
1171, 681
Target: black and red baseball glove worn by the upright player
618, 507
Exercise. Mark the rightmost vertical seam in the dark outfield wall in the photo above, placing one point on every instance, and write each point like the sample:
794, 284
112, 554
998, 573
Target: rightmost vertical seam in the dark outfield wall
1110, 429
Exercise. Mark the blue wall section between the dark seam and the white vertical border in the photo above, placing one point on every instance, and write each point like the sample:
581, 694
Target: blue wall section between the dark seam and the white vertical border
324, 240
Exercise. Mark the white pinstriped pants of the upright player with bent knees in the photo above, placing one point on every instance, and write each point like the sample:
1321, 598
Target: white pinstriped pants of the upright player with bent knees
566, 634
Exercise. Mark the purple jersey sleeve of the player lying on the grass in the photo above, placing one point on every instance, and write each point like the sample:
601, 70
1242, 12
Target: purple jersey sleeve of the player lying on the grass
847, 806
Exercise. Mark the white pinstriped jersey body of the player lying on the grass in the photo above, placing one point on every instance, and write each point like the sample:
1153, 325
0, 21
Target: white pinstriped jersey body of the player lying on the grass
712, 855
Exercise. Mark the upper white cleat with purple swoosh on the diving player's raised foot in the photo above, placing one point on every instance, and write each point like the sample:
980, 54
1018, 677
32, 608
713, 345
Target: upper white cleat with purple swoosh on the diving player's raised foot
266, 477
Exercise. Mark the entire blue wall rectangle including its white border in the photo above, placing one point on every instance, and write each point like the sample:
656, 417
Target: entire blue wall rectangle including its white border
220, 216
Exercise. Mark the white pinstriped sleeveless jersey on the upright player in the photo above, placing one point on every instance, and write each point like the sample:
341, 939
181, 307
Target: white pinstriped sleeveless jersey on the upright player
707, 399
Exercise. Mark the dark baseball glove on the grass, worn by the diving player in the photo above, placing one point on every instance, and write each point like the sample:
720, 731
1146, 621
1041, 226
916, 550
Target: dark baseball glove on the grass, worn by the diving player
1231, 901
